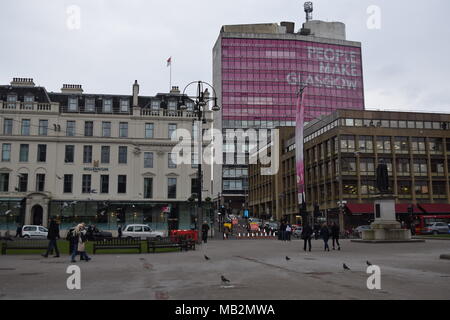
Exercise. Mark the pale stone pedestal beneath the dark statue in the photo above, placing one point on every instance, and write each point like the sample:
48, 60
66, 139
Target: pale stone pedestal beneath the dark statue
385, 227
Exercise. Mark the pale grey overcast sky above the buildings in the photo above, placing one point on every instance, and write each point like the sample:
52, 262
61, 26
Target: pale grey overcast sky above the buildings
406, 62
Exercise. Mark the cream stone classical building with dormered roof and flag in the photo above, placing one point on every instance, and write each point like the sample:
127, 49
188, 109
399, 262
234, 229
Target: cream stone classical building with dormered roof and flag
96, 158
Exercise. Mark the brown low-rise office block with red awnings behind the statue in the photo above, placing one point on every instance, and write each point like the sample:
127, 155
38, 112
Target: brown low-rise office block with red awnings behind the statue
342, 151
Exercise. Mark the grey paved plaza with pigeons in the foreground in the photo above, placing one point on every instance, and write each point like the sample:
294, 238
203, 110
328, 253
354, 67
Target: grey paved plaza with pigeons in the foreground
257, 269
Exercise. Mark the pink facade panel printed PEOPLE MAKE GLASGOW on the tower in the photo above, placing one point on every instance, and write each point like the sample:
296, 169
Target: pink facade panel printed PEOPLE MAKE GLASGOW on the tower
260, 79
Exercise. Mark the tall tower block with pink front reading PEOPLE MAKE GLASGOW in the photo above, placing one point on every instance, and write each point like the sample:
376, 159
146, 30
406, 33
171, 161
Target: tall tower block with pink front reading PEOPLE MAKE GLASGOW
257, 70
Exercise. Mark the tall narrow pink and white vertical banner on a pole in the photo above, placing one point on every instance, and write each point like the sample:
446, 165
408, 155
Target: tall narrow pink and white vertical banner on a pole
300, 166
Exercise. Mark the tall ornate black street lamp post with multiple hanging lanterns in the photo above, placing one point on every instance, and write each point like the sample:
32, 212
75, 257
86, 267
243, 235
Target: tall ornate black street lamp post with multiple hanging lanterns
201, 103
